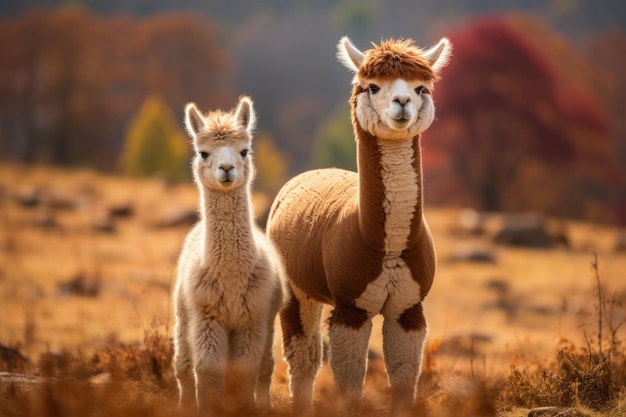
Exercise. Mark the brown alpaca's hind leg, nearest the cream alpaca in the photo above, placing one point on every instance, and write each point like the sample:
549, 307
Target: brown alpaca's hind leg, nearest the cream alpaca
302, 348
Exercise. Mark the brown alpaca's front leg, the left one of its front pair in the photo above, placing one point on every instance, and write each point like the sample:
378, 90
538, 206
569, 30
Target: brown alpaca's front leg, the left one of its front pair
348, 340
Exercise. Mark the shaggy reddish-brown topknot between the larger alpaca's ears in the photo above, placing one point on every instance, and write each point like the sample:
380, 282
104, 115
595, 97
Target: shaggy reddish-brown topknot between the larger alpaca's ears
396, 58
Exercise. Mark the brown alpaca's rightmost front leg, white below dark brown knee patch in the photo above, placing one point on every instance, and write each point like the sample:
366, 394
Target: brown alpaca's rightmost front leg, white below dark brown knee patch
403, 343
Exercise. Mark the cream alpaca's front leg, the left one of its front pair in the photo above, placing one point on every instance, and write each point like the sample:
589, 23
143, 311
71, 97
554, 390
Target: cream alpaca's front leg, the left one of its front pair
211, 350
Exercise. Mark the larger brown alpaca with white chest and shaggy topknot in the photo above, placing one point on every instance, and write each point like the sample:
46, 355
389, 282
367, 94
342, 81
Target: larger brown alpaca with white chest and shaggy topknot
359, 241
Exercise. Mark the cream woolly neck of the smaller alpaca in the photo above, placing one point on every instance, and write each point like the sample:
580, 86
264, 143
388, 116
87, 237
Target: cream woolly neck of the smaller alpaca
228, 224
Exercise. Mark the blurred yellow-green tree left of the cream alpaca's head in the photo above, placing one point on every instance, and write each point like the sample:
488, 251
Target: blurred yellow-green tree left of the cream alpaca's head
154, 143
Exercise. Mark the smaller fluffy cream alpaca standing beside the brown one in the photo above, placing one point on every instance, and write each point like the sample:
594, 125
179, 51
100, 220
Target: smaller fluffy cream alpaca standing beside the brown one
229, 286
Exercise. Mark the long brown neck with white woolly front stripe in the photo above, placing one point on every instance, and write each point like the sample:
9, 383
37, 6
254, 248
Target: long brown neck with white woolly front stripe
390, 192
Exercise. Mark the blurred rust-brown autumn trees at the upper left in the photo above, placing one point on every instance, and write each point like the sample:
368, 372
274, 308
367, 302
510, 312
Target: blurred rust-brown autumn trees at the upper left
71, 83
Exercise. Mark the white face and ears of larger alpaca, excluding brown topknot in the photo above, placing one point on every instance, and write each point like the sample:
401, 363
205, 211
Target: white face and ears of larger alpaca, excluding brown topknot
397, 109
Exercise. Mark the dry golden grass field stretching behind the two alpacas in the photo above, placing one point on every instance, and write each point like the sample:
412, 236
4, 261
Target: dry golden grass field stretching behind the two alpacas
88, 261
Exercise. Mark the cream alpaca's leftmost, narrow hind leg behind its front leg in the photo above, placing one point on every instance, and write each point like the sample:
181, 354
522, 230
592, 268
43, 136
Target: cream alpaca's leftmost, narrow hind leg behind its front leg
183, 359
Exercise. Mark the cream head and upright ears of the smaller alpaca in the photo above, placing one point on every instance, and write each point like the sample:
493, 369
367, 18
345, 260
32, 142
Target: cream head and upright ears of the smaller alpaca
222, 143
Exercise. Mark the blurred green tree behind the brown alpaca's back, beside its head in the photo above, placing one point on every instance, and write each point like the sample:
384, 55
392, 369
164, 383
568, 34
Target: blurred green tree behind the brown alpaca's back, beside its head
334, 143
